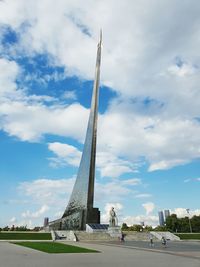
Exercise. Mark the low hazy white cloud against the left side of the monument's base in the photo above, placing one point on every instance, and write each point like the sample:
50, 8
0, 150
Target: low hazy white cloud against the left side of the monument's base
50, 195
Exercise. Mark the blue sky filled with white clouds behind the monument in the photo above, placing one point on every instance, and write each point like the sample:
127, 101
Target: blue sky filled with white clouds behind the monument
148, 148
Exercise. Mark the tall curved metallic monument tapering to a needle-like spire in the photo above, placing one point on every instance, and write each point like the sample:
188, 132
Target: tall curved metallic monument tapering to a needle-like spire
80, 207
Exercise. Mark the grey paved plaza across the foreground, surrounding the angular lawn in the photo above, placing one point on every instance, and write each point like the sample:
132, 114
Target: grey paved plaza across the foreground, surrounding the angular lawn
116, 254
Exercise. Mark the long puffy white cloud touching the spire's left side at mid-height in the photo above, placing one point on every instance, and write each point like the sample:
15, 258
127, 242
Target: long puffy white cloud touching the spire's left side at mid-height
31, 122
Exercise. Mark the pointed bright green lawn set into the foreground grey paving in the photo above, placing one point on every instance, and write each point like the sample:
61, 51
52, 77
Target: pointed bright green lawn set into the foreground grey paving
53, 247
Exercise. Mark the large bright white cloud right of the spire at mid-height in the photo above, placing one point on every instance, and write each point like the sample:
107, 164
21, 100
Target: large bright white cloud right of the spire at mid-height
152, 137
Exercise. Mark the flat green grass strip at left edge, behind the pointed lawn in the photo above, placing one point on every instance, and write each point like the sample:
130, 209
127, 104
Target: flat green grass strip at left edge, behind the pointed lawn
25, 236
